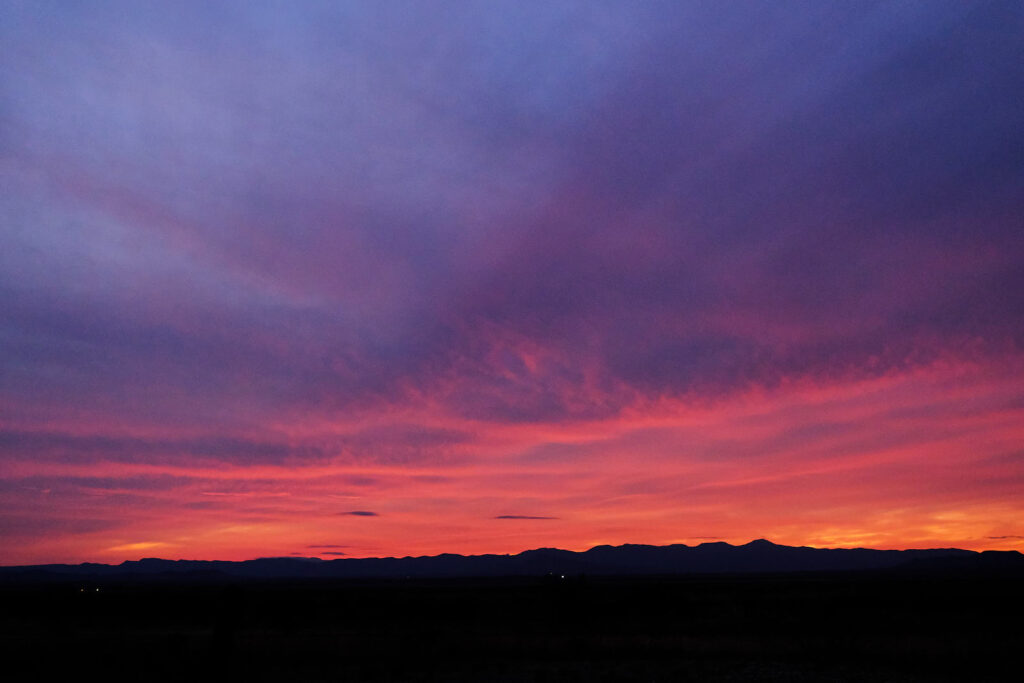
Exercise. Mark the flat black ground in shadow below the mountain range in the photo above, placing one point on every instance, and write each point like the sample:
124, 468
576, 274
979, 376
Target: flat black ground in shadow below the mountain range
810, 628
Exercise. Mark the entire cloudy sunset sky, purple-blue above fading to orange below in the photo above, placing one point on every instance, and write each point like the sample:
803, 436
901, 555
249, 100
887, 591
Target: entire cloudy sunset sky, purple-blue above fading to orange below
388, 279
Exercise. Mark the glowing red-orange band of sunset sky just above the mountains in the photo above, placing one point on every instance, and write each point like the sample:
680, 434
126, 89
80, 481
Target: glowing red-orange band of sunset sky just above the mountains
919, 460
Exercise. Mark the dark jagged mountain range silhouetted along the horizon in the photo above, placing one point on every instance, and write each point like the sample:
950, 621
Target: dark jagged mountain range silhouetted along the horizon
708, 559
